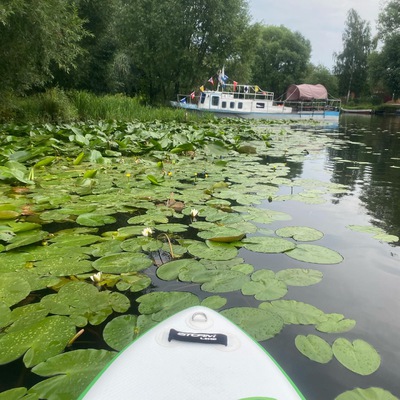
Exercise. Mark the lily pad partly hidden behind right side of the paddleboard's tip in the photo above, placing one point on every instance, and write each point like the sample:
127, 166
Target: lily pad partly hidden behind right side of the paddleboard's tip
260, 324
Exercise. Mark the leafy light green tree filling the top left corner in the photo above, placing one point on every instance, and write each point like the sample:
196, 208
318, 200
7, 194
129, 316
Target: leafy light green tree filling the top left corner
34, 37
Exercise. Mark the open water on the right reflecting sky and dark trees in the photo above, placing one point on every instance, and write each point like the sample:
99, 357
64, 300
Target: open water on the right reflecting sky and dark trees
366, 285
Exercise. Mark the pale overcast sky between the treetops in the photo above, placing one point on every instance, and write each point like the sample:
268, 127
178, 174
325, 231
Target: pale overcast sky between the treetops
320, 21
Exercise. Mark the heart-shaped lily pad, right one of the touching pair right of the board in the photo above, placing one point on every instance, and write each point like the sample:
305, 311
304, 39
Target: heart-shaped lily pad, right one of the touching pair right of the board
359, 356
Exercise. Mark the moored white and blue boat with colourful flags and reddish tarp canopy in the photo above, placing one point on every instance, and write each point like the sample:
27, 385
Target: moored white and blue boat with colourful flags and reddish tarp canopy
250, 101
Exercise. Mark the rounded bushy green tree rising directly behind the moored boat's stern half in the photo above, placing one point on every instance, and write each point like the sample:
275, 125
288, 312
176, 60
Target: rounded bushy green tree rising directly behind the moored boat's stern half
282, 57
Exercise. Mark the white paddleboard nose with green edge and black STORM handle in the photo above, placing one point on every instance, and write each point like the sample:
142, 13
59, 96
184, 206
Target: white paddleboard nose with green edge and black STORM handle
196, 354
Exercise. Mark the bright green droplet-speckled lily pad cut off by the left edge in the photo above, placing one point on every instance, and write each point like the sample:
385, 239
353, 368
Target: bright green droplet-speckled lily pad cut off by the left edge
54, 331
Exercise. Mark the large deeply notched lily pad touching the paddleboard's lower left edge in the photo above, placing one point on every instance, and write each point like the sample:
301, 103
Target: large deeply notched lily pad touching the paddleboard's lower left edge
70, 373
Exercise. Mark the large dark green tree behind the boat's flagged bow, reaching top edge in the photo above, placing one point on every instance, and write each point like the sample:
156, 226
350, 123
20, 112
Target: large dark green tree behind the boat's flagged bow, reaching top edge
174, 45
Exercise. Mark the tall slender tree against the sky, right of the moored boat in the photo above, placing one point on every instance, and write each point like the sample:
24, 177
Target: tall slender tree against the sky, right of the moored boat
351, 63
